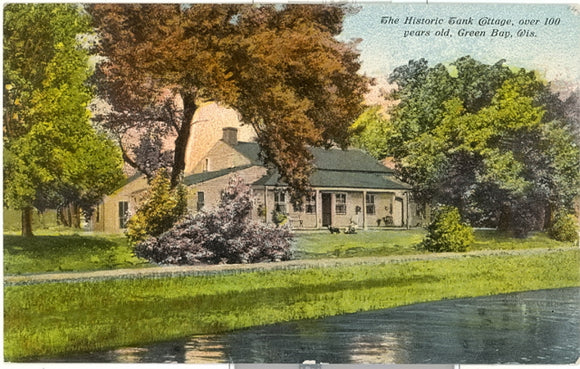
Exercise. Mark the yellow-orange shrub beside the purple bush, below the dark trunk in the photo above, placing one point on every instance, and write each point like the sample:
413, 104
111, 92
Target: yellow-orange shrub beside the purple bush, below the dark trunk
161, 208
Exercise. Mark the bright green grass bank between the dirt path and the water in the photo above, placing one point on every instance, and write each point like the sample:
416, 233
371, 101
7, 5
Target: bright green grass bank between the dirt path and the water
60, 318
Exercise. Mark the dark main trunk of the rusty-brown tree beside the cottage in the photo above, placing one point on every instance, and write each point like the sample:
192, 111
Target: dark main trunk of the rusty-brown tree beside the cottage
189, 108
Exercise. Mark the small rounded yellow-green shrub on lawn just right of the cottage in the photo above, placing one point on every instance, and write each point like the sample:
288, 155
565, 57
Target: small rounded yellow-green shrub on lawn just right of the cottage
447, 233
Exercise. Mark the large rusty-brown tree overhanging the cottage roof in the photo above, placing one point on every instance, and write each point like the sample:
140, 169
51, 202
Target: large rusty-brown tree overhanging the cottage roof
280, 67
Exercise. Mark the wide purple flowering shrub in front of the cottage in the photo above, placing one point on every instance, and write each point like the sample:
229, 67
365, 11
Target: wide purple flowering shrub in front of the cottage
226, 234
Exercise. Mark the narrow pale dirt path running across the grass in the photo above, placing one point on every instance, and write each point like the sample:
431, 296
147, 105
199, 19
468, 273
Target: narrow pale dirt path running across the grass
204, 270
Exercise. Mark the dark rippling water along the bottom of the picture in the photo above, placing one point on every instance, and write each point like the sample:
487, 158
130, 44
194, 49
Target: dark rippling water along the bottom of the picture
537, 327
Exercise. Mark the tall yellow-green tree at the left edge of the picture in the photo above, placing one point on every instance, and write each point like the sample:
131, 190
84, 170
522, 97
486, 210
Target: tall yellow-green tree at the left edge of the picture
52, 155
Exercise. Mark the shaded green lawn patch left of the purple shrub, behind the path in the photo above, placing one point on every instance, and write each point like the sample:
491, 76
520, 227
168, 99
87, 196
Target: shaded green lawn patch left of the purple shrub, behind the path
55, 252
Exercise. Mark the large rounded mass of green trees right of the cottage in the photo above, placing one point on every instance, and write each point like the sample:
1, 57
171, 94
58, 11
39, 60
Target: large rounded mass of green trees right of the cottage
491, 140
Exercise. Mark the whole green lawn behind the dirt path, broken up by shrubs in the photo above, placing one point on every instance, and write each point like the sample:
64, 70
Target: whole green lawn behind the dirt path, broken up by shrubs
52, 251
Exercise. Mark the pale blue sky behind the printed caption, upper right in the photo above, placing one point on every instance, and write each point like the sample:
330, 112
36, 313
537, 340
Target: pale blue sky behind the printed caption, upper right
553, 50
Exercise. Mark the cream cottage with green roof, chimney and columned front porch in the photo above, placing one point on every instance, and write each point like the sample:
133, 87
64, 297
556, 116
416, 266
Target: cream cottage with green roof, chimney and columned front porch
348, 187
